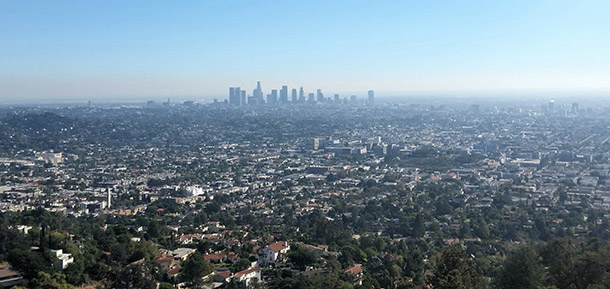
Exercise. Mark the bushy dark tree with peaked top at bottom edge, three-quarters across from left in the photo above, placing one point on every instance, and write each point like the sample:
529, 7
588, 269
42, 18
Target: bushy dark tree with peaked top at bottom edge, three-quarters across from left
453, 269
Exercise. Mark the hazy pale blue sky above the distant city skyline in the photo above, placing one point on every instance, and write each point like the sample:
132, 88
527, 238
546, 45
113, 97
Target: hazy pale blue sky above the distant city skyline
81, 50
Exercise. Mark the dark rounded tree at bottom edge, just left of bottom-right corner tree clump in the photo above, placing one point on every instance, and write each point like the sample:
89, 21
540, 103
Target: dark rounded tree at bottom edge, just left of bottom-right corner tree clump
522, 270
